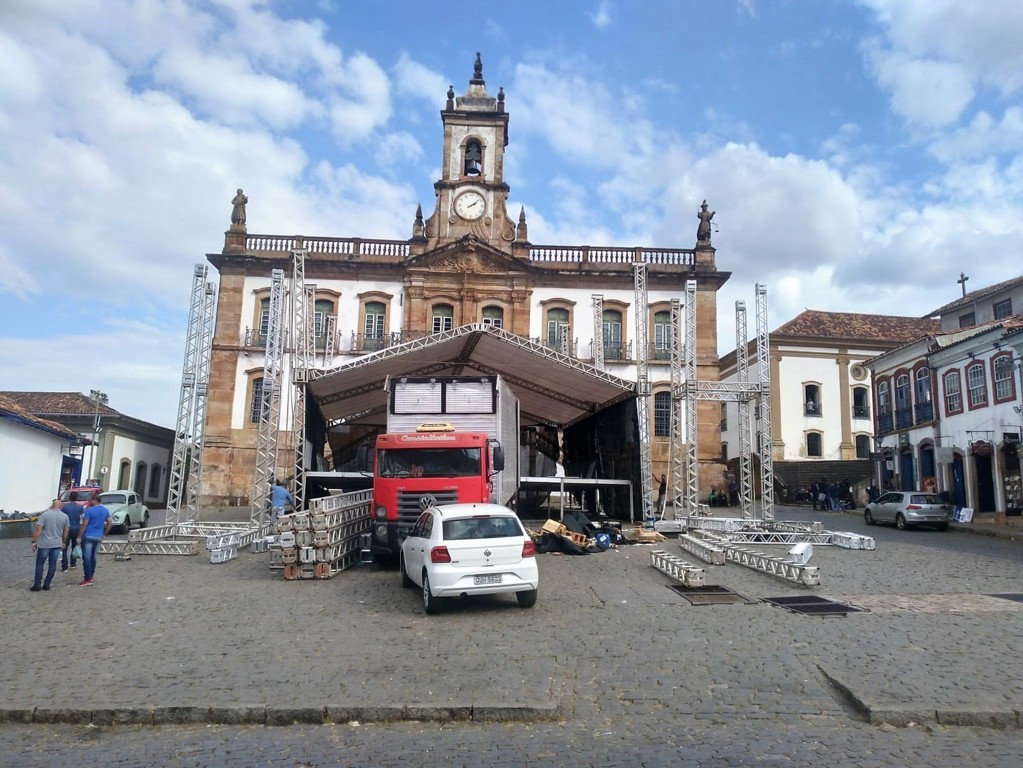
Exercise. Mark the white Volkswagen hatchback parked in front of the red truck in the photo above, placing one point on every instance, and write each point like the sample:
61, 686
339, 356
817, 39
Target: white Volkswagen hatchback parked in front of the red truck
470, 550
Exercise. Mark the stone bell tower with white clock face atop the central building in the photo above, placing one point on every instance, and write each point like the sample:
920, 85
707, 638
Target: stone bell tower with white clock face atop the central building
472, 195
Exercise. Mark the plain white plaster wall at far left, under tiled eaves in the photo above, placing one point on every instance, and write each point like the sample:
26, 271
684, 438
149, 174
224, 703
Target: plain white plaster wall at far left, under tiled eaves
30, 468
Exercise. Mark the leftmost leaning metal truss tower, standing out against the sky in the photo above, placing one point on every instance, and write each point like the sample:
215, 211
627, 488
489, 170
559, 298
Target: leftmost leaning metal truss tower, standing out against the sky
187, 463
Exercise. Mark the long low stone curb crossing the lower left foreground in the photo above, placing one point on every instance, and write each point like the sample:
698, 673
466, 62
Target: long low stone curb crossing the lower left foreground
327, 715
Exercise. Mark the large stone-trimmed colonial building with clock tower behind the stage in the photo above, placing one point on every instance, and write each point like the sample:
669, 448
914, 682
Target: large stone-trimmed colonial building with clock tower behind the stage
469, 261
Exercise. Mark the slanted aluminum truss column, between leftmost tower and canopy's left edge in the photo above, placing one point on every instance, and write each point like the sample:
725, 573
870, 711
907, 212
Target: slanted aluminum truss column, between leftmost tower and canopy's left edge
270, 415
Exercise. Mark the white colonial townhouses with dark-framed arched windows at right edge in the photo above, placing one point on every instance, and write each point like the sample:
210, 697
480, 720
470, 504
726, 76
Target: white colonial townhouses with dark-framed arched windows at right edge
950, 417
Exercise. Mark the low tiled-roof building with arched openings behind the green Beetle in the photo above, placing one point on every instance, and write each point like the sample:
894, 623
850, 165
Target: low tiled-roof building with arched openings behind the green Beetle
115, 450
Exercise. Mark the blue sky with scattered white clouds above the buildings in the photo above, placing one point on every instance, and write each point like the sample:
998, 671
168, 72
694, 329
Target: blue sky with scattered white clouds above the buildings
860, 155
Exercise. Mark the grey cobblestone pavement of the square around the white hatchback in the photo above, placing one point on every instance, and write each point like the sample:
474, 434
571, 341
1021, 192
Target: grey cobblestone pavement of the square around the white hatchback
185, 663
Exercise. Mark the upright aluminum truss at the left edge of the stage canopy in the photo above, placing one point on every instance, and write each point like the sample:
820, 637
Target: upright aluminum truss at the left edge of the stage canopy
304, 307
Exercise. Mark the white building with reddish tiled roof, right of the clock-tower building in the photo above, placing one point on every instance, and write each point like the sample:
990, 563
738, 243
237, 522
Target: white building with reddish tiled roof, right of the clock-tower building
821, 392
